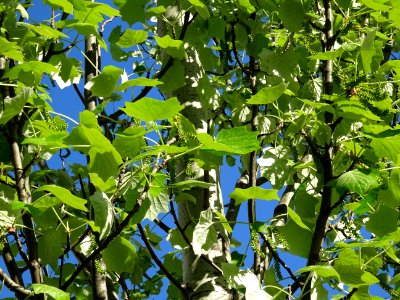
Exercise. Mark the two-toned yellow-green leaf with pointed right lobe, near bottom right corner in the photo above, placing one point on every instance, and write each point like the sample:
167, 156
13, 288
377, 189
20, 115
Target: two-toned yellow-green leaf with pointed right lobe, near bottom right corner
349, 268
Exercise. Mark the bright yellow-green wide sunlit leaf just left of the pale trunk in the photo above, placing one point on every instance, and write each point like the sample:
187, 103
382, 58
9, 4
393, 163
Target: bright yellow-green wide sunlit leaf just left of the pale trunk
148, 109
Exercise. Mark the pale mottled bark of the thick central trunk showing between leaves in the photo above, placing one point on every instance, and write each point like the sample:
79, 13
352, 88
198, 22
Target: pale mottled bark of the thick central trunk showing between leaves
201, 279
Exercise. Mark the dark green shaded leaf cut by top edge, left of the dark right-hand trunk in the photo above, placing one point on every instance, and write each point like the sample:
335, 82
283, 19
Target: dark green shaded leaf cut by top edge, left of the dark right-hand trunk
292, 14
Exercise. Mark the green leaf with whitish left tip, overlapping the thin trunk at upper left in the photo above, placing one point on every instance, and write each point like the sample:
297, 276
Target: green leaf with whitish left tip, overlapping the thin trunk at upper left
104, 84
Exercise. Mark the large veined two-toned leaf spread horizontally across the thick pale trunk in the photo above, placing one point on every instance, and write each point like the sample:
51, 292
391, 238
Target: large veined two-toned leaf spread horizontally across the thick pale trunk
231, 141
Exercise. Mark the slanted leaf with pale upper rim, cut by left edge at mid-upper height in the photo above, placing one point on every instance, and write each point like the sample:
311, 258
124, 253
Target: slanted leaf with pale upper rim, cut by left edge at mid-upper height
13, 106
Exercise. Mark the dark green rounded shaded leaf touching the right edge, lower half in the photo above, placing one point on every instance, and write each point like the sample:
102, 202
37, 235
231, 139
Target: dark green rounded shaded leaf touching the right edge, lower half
383, 221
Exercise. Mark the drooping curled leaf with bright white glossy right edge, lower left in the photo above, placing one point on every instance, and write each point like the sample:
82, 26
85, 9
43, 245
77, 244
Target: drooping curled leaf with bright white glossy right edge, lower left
103, 212
